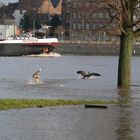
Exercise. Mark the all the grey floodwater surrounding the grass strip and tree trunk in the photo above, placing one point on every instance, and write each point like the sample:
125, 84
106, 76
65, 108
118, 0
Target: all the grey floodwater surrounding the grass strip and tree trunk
59, 80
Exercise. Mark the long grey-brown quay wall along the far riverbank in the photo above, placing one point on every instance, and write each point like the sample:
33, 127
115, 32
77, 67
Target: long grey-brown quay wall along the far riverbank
92, 49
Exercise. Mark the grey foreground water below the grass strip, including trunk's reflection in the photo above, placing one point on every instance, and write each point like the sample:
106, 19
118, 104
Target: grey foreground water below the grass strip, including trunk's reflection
70, 123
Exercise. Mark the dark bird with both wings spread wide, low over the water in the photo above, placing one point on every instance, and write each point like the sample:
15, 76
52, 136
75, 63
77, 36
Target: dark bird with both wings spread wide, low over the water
87, 75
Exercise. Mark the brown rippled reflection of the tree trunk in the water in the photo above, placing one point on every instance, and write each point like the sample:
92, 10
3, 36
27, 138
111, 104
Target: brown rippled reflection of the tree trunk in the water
125, 129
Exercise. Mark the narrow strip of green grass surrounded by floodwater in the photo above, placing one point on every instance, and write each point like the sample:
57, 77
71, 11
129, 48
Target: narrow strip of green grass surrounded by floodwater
6, 104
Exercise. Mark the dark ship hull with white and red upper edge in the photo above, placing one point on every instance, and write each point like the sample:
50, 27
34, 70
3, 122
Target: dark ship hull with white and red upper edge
27, 47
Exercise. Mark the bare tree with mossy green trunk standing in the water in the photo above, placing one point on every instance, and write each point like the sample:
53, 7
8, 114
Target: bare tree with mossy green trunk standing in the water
126, 12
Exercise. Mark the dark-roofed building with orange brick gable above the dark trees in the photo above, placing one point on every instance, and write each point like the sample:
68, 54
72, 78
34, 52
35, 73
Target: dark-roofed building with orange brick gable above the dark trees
40, 7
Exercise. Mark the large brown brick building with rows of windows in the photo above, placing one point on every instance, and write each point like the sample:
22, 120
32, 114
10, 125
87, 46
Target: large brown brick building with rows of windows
87, 20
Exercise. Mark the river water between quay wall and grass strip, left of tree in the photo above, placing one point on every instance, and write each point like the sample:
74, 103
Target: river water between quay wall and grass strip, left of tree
58, 77
